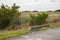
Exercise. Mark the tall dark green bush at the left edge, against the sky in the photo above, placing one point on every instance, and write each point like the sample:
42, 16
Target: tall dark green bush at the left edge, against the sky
7, 13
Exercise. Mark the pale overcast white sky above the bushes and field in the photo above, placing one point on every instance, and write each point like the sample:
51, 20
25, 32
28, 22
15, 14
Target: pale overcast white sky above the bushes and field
30, 5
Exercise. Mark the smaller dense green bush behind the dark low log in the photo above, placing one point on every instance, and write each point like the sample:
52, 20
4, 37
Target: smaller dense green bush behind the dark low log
39, 19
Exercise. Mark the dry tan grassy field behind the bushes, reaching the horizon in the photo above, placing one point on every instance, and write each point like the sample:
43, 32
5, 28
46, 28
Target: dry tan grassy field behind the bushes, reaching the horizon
52, 16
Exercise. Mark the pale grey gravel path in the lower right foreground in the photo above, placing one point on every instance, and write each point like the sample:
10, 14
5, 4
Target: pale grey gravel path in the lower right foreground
49, 34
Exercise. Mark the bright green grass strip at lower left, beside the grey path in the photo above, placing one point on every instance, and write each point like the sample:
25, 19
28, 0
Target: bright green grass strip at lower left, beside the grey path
7, 34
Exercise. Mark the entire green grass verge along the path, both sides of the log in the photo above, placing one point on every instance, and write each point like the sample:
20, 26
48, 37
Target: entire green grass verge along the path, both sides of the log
13, 33
